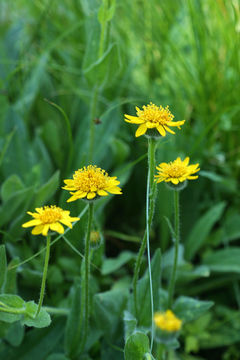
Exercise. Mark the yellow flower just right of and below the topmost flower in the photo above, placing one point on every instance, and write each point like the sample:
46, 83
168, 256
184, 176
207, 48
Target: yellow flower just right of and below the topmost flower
176, 171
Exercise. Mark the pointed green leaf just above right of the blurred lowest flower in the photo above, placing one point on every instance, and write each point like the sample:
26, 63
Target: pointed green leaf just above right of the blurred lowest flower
188, 309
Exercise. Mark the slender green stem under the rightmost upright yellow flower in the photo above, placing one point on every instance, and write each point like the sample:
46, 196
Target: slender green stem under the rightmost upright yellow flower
176, 242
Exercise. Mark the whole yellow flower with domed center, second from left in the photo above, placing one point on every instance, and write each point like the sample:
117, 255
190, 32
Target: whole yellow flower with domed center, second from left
91, 182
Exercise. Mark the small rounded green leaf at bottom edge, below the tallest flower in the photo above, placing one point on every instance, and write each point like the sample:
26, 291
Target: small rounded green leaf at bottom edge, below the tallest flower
137, 346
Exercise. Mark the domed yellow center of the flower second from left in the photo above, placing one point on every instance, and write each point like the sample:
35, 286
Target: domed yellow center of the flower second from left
90, 178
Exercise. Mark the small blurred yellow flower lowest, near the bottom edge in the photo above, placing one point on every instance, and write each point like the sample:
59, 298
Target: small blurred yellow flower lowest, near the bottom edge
167, 321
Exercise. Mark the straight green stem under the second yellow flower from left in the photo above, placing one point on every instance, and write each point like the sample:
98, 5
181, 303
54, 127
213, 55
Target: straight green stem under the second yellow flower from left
87, 273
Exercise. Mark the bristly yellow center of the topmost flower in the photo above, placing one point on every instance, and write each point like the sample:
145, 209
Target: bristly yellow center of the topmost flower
155, 114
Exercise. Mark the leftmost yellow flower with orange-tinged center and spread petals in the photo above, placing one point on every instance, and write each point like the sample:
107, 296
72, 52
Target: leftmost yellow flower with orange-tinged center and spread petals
49, 218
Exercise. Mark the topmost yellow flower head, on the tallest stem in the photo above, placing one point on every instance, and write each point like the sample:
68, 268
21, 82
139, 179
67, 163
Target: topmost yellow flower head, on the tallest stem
153, 120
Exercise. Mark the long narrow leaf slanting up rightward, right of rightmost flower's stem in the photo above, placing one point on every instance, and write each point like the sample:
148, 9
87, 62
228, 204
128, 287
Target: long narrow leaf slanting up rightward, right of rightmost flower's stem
202, 229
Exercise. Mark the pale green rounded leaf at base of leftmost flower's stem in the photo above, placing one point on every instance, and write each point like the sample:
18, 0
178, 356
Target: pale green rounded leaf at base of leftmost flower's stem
42, 320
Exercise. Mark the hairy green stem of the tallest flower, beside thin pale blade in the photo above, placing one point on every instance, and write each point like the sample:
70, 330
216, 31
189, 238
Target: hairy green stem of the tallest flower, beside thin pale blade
151, 191
